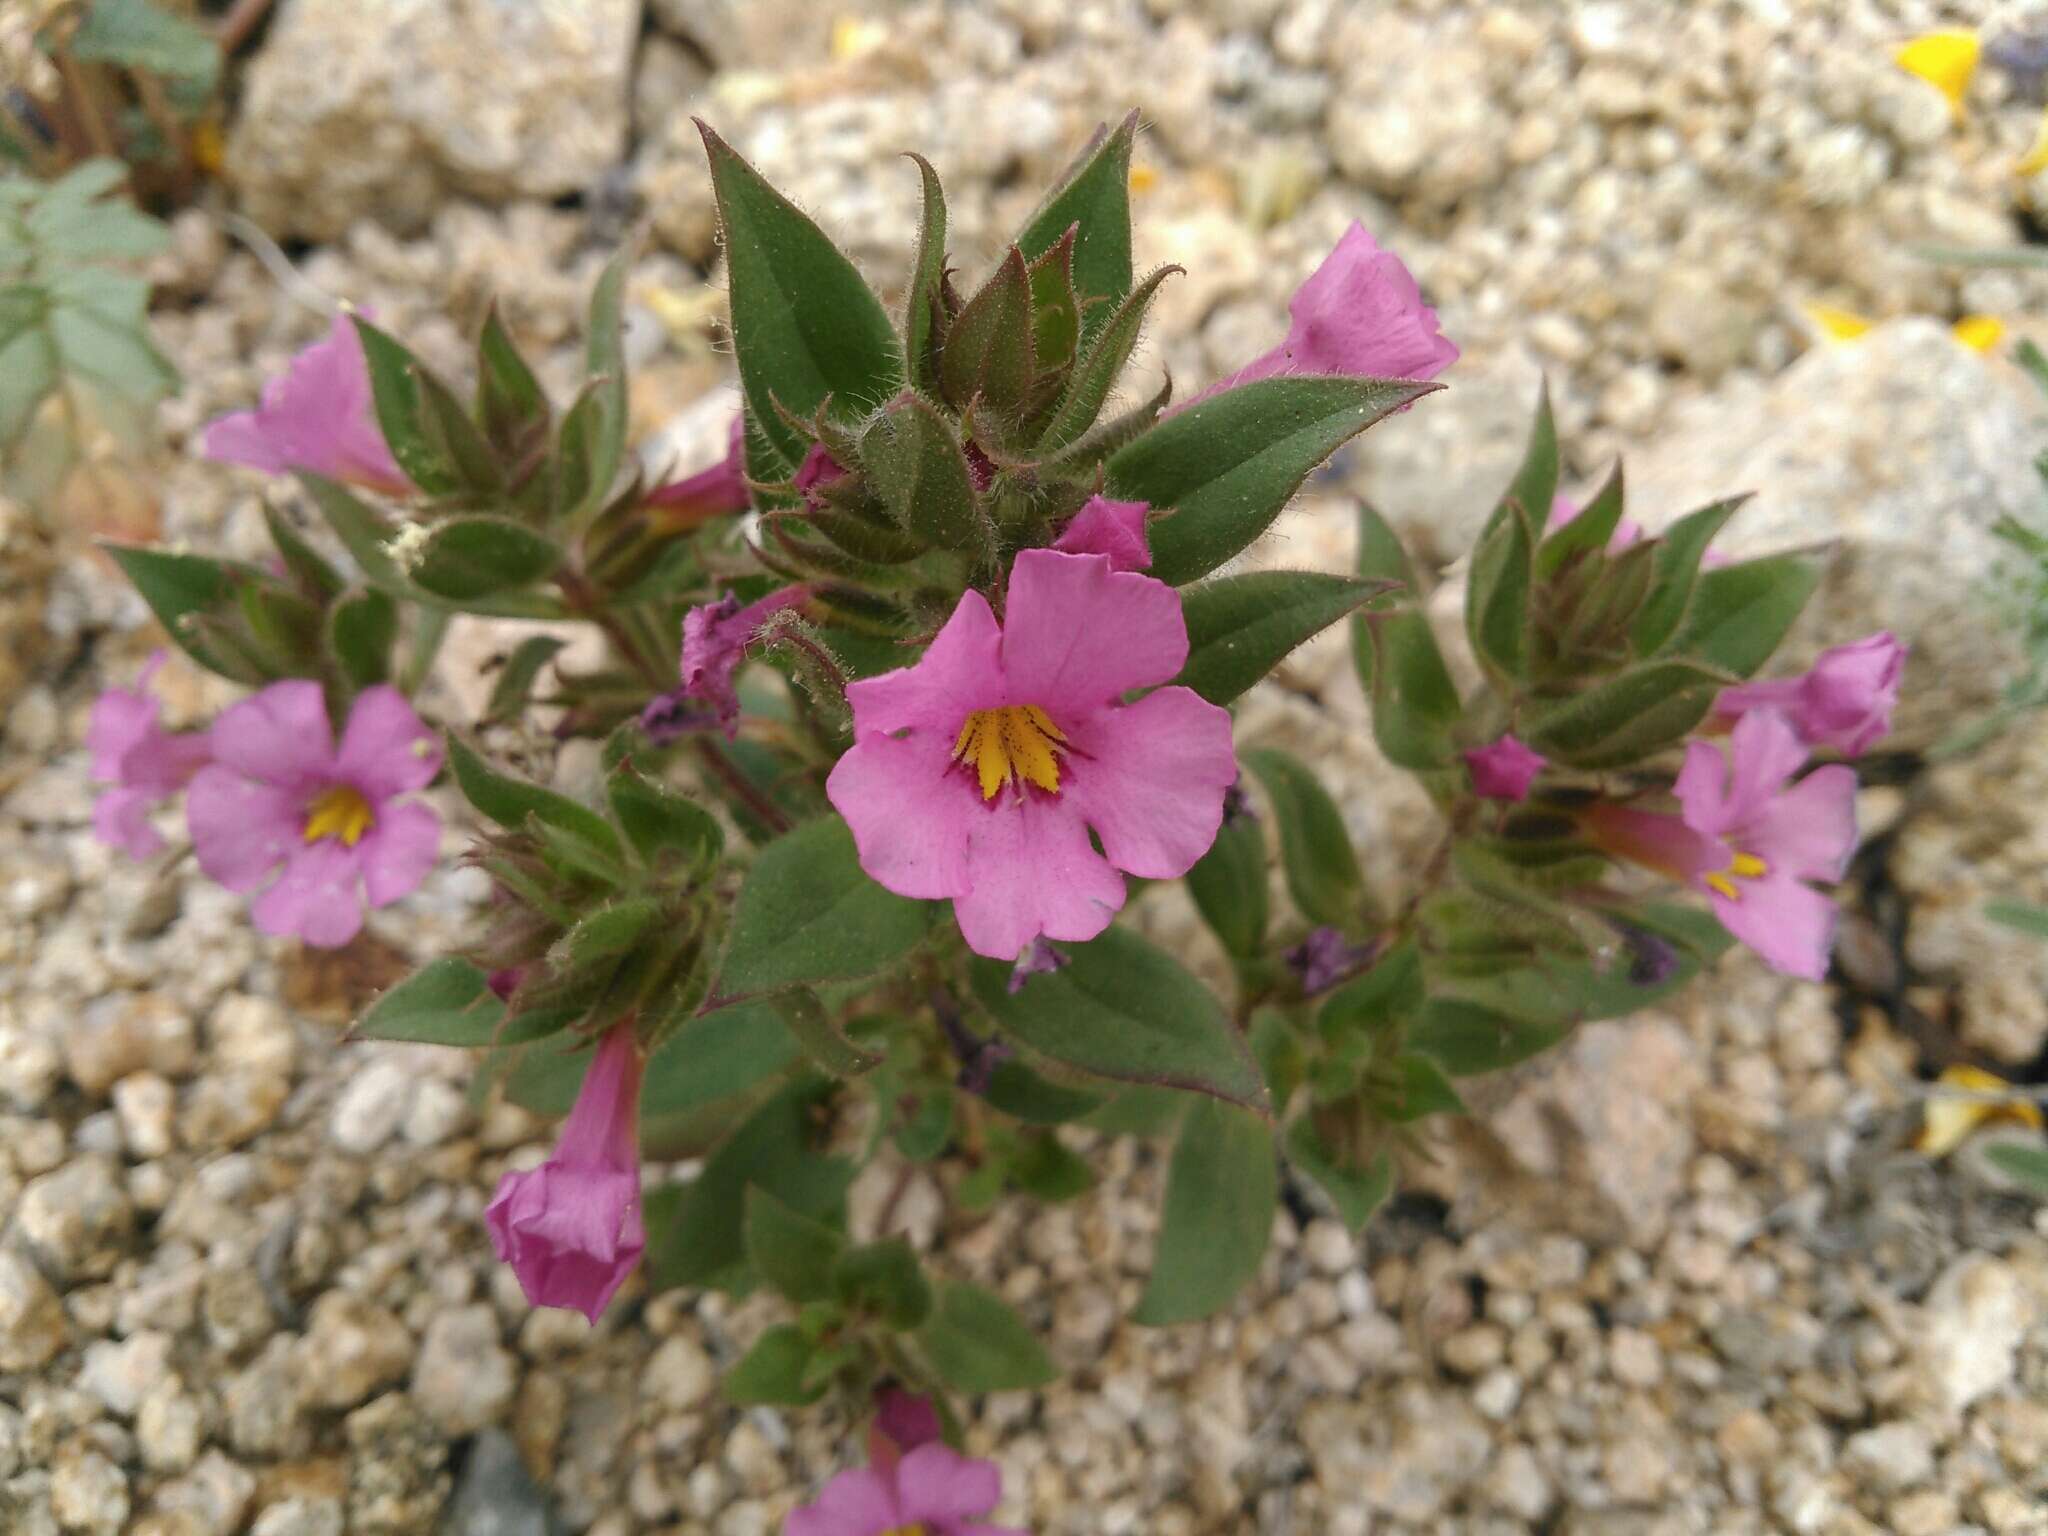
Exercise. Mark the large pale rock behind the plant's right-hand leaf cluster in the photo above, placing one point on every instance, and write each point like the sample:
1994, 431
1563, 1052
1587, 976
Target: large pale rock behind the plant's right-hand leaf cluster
1904, 450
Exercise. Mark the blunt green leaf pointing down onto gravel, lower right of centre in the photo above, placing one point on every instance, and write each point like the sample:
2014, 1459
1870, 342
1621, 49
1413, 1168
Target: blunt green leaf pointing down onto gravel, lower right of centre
1220, 1215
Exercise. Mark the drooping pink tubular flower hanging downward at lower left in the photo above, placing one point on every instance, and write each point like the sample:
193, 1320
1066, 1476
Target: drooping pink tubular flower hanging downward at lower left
572, 1228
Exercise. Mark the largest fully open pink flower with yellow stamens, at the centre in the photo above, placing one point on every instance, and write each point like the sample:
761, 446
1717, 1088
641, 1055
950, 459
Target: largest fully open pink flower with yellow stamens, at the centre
980, 773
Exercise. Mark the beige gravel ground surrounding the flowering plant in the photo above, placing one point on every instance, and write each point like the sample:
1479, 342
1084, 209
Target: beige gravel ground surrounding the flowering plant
1682, 1279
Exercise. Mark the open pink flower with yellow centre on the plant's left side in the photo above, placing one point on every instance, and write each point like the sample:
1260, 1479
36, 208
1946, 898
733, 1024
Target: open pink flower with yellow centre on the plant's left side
312, 828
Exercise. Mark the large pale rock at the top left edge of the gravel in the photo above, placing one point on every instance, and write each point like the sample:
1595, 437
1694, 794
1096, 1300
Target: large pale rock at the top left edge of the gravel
388, 108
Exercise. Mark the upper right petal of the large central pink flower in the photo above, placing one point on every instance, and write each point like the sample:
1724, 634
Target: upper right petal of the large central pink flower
1080, 634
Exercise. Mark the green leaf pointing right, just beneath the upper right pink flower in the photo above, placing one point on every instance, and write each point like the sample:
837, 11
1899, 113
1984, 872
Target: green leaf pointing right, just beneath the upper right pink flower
1230, 464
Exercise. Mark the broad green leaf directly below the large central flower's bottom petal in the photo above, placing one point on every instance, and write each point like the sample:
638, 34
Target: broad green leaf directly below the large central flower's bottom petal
1123, 1009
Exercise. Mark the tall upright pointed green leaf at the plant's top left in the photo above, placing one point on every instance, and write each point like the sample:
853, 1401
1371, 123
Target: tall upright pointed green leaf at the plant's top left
804, 323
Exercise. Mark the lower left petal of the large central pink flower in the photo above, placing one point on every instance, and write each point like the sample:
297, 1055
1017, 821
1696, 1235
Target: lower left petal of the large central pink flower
910, 812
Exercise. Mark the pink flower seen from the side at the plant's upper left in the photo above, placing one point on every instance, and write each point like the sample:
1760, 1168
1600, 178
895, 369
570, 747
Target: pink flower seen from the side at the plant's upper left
316, 417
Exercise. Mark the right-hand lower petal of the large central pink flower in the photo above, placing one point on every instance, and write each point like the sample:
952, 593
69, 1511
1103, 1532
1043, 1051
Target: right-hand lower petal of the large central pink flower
1150, 779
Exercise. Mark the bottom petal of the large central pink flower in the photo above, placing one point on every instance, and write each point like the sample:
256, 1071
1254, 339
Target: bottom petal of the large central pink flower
1033, 873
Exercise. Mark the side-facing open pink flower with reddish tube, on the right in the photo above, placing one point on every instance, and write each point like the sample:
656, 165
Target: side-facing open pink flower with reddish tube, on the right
1750, 839
